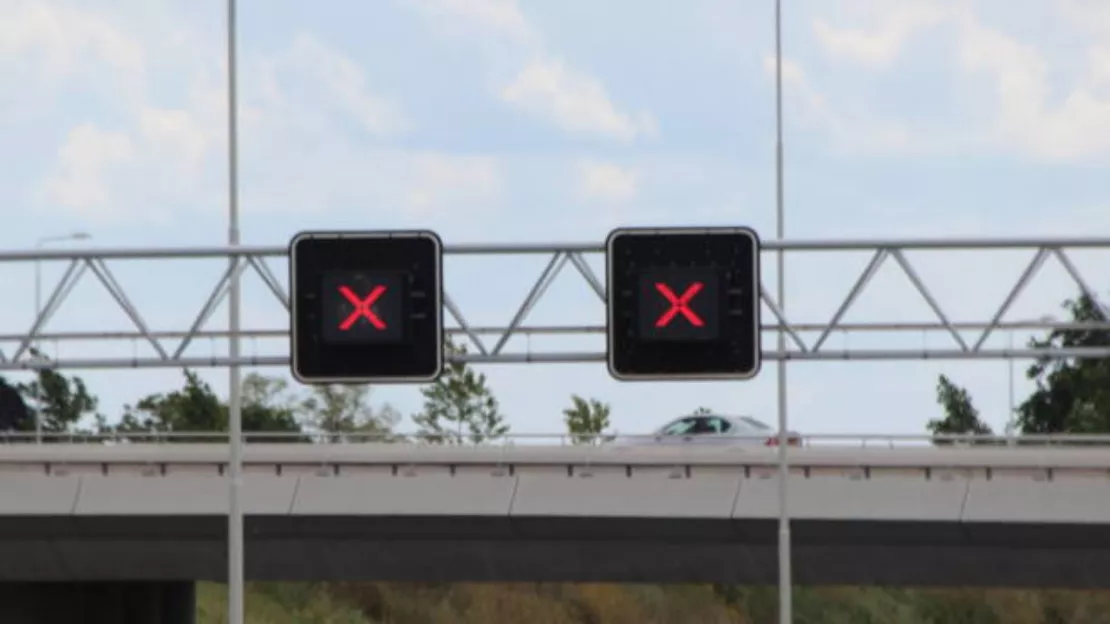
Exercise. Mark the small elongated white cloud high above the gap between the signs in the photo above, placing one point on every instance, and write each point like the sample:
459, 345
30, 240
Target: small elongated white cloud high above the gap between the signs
576, 103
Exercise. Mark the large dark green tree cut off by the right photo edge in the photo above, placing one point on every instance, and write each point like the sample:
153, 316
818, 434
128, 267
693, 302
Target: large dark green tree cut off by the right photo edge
1072, 396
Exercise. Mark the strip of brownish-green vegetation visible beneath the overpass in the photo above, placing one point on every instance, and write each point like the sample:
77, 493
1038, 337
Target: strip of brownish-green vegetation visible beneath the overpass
482, 603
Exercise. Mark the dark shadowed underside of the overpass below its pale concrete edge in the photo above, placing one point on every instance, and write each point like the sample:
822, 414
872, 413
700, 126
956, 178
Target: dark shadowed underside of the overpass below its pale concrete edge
425, 549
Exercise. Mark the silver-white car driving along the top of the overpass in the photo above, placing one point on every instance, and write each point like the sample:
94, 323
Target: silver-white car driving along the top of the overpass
712, 429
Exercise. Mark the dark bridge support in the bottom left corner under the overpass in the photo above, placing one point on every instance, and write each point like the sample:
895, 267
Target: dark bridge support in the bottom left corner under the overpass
116, 603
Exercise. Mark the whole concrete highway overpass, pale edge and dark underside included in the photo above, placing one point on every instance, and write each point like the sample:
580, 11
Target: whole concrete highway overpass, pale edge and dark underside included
1024, 517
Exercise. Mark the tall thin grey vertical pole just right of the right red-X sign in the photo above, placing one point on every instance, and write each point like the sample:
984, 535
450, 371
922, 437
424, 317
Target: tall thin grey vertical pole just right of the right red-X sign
785, 583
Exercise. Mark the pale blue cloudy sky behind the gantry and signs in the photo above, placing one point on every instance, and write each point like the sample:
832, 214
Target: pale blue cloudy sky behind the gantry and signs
498, 122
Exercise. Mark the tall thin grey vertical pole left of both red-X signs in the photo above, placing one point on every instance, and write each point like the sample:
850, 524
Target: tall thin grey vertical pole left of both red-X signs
236, 556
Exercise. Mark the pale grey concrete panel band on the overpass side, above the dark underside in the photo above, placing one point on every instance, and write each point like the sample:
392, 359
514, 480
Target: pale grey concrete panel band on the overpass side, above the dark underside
721, 495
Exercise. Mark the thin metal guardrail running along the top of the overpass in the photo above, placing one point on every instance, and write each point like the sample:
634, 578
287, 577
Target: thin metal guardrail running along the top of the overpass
822, 440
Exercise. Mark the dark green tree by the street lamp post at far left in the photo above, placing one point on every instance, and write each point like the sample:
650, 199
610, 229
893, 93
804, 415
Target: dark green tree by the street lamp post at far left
60, 401
